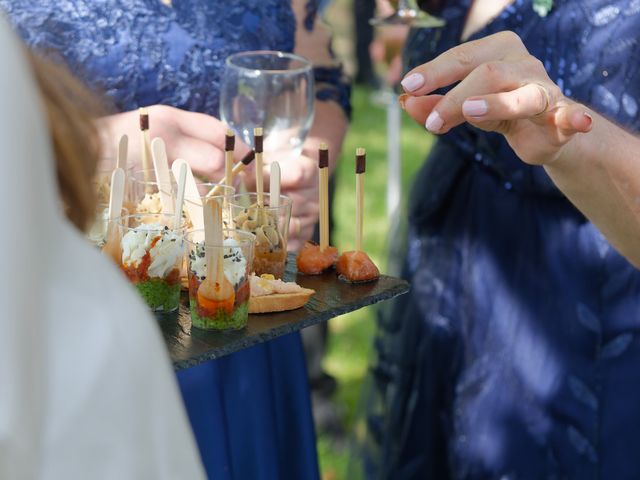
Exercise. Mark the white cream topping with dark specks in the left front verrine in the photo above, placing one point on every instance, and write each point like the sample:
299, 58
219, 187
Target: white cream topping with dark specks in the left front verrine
165, 254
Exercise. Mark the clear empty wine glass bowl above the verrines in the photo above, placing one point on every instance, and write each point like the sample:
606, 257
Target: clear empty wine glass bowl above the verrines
272, 90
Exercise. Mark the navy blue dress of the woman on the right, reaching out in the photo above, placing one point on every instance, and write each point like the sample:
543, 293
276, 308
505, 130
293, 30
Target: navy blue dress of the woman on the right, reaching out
517, 354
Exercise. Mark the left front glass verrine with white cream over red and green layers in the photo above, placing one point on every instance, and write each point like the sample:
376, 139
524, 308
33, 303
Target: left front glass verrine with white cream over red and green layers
151, 255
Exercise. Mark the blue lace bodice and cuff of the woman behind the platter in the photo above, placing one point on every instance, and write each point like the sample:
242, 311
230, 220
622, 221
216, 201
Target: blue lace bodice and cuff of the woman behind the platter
143, 52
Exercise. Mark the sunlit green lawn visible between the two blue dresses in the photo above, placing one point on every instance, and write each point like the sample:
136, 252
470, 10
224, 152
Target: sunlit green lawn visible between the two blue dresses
351, 335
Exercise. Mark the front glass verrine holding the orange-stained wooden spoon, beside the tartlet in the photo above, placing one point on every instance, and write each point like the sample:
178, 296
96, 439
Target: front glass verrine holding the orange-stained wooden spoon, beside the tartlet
237, 253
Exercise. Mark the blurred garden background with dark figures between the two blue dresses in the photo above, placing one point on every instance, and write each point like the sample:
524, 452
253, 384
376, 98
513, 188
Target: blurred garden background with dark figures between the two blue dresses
349, 348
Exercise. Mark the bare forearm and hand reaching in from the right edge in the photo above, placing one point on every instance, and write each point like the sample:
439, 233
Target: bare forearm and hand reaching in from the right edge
502, 88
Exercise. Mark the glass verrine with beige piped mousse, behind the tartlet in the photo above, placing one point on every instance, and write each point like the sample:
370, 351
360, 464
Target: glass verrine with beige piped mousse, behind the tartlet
270, 225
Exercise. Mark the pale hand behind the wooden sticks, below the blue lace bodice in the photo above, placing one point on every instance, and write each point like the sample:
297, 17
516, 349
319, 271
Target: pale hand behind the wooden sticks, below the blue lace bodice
195, 137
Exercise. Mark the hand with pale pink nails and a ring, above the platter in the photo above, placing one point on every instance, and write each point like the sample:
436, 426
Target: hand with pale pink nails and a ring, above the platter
503, 89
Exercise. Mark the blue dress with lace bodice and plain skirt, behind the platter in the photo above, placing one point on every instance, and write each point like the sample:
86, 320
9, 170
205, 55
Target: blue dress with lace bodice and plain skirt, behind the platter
250, 411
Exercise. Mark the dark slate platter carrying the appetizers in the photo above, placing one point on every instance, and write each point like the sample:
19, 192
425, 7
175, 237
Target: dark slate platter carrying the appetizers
189, 347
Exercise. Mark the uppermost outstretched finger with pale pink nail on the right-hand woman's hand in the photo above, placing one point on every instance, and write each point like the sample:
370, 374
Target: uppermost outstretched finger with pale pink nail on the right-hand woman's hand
455, 64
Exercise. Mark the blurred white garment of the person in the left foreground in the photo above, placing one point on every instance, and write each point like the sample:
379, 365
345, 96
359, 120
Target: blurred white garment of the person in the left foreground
86, 386
